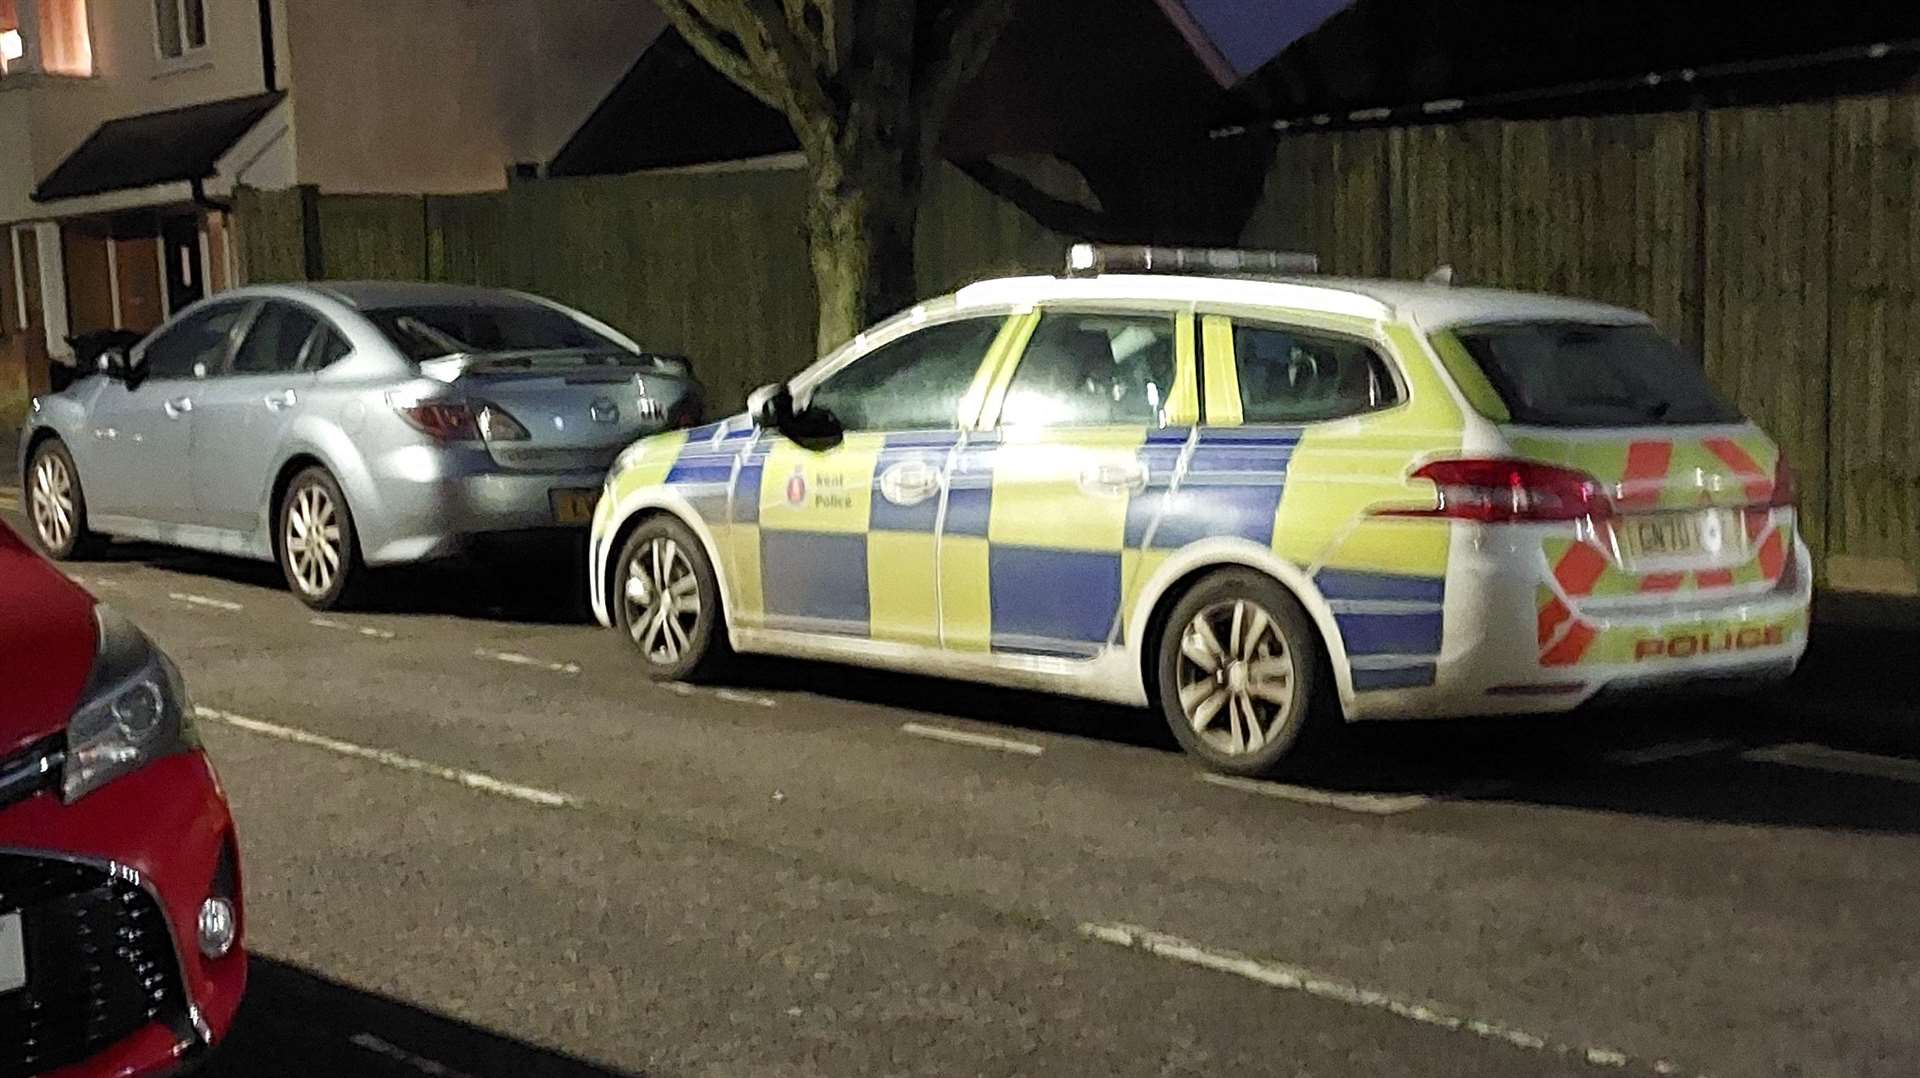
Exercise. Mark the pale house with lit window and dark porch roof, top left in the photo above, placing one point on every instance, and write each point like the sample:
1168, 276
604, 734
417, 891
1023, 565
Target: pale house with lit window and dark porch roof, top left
126, 126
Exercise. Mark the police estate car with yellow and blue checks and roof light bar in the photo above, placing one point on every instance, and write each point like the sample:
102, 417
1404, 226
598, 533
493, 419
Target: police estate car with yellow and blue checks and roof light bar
1249, 497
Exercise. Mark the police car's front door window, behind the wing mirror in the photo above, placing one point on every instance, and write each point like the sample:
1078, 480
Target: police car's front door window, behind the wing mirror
915, 383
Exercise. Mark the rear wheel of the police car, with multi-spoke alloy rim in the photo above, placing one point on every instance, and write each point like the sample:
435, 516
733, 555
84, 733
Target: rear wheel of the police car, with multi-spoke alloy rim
1239, 674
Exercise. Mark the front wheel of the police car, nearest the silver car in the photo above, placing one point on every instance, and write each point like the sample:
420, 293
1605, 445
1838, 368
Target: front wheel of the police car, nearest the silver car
667, 602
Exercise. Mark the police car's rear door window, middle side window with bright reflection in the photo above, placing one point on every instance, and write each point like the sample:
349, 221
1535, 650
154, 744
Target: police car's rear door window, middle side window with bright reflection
1088, 370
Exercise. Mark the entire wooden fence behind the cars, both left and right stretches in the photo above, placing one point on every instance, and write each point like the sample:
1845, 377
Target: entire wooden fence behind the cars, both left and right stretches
1781, 243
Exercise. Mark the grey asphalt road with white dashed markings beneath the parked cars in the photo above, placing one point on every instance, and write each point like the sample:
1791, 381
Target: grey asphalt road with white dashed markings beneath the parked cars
479, 843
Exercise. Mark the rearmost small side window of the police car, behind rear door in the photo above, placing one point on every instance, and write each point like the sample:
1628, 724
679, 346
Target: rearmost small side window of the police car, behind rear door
1295, 376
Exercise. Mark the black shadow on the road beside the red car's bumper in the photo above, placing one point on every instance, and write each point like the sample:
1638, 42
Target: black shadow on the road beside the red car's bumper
299, 1023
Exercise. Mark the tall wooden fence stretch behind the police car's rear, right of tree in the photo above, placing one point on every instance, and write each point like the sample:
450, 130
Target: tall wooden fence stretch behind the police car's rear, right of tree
1781, 243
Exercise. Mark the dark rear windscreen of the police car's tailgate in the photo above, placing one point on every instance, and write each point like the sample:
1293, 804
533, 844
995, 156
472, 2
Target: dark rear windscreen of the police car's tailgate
1595, 376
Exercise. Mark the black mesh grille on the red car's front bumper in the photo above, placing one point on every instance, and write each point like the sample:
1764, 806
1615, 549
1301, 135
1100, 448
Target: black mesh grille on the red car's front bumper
101, 964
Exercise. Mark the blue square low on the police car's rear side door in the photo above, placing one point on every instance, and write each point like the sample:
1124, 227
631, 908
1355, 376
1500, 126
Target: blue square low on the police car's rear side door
1061, 597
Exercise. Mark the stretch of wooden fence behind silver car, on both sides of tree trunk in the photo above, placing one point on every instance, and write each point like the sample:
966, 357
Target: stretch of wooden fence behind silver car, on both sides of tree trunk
706, 264
